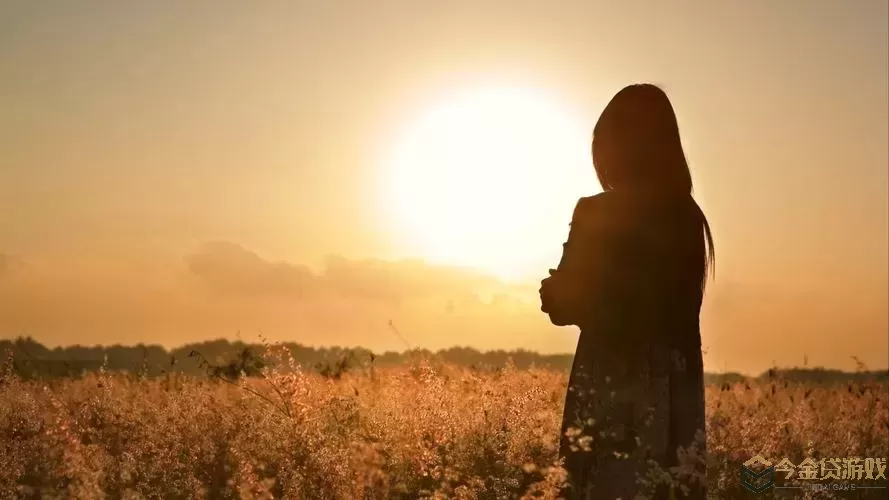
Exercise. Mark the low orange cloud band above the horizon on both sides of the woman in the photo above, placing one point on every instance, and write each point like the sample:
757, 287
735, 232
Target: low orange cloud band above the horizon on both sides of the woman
223, 288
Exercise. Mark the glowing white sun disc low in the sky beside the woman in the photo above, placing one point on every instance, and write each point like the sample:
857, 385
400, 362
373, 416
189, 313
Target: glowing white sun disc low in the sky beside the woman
487, 178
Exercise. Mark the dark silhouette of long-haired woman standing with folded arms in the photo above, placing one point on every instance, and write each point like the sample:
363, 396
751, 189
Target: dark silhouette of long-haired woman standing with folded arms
632, 277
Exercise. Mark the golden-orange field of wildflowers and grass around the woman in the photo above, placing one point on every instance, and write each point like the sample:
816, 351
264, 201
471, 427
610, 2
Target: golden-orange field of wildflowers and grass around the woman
422, 430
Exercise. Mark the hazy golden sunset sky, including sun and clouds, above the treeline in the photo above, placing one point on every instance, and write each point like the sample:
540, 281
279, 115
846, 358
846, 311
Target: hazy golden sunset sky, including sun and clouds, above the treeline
177, 171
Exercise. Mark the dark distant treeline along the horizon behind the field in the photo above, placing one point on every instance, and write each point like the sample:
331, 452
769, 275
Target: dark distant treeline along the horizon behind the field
31, 359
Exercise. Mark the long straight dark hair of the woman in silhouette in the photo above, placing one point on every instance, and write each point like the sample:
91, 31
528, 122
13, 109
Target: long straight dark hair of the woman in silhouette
636, 147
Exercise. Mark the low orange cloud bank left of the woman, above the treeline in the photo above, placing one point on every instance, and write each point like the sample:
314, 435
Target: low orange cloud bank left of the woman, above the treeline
223, 288
